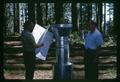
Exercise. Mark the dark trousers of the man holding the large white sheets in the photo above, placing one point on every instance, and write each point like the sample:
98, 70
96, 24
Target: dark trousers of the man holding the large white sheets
29, 61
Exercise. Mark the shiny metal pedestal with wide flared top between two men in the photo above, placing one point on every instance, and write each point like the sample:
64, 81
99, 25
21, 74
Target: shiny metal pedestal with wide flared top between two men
63, 66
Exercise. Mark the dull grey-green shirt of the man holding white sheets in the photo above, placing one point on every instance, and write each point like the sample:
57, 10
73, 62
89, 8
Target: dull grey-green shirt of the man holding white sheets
28, 41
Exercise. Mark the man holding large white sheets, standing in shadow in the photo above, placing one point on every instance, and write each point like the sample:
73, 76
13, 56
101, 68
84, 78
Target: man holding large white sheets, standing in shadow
29, 46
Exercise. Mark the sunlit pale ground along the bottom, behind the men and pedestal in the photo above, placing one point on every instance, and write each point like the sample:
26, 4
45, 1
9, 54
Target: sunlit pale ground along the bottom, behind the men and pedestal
48, 74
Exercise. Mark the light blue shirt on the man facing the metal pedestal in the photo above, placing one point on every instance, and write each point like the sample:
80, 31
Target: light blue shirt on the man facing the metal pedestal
93, 39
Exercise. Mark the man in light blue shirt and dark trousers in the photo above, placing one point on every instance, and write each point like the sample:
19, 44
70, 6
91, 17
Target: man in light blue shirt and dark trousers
93, 42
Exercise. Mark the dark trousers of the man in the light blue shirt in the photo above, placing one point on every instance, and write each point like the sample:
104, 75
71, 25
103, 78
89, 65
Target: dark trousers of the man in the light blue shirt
91, 65
